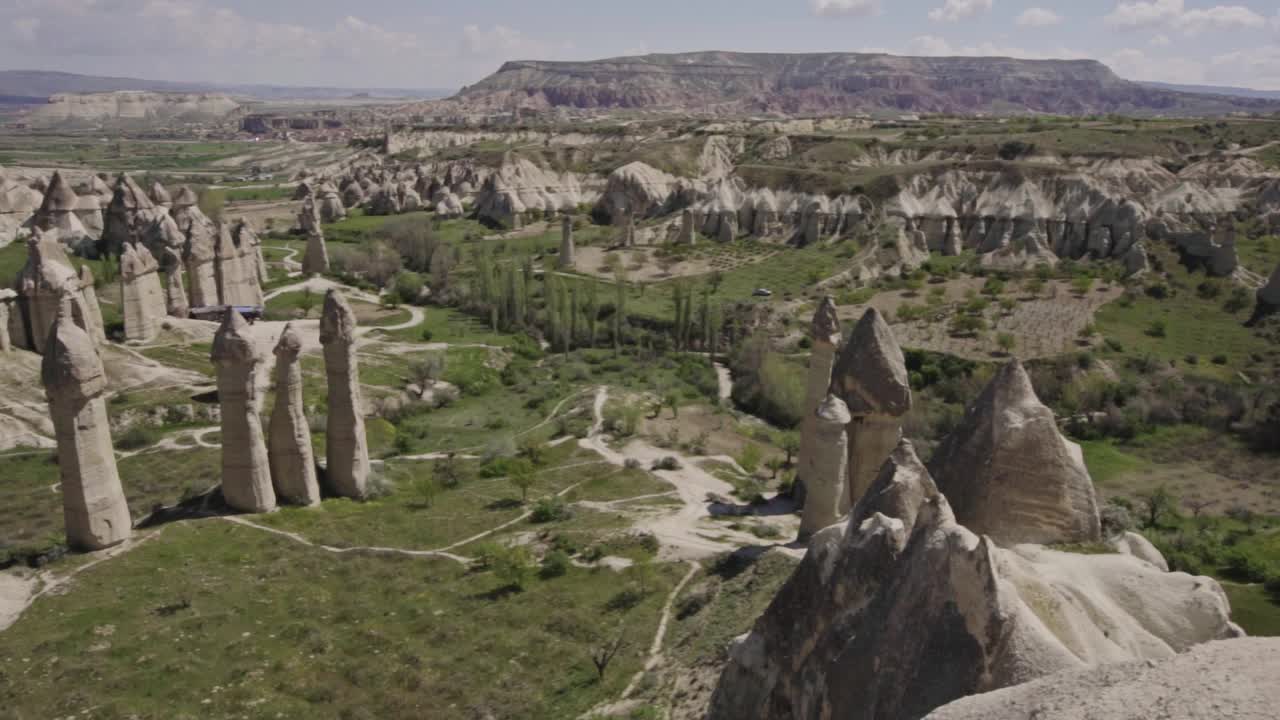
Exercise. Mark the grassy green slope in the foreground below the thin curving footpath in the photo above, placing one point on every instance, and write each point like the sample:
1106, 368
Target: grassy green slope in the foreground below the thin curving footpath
213, 619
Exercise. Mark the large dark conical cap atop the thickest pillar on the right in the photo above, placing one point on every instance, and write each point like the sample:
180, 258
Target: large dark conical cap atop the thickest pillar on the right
871, 373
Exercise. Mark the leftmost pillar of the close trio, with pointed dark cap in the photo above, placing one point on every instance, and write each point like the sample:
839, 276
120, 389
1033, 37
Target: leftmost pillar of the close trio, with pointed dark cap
246, 466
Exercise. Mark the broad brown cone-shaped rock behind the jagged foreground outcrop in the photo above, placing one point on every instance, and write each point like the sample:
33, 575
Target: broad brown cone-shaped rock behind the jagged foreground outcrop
1011, 475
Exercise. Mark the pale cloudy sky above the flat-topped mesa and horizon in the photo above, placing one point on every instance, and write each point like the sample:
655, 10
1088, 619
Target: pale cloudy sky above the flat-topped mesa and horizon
428, 44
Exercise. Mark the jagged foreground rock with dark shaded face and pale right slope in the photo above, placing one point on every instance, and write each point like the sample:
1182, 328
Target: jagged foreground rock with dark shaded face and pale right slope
904, 610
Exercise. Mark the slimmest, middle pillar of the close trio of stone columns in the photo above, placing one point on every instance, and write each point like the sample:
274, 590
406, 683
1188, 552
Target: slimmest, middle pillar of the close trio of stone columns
292, 463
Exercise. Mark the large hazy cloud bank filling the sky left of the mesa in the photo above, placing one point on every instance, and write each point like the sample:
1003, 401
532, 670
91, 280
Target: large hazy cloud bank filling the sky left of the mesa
198, 40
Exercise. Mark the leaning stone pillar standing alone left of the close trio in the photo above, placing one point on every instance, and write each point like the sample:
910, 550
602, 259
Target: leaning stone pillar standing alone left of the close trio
94, 504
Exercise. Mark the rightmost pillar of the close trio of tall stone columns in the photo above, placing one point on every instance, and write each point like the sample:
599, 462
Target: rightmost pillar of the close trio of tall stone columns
348, 449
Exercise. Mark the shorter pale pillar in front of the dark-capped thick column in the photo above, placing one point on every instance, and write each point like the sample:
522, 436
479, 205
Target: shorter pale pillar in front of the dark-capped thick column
826, 487
